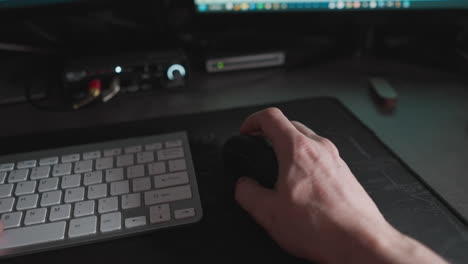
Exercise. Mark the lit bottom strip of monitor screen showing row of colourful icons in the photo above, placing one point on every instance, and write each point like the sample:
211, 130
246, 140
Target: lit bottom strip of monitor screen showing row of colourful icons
321, 5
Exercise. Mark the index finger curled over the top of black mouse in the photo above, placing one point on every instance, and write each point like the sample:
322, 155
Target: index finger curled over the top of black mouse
272, 124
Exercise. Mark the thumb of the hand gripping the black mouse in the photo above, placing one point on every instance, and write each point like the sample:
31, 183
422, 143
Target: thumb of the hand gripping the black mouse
256, 200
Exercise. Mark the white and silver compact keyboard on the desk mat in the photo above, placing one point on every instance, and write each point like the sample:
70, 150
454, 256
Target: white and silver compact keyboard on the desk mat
88, 193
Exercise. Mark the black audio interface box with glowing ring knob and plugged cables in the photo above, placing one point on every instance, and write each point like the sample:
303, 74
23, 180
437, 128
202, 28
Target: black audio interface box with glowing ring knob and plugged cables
134, 72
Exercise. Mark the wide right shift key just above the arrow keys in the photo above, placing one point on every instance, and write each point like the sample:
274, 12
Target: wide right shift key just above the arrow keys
168, 195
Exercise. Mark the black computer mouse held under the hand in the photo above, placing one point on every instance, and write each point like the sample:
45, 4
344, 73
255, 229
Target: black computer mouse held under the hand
251, 156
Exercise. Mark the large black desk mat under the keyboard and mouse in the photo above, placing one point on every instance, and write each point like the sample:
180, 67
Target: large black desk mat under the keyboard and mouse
227, 234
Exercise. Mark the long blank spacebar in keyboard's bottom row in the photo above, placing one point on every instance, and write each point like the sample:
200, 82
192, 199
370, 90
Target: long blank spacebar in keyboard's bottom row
31, 235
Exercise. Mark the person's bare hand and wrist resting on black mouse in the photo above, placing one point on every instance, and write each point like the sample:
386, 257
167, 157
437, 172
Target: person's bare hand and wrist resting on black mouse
318, 210
